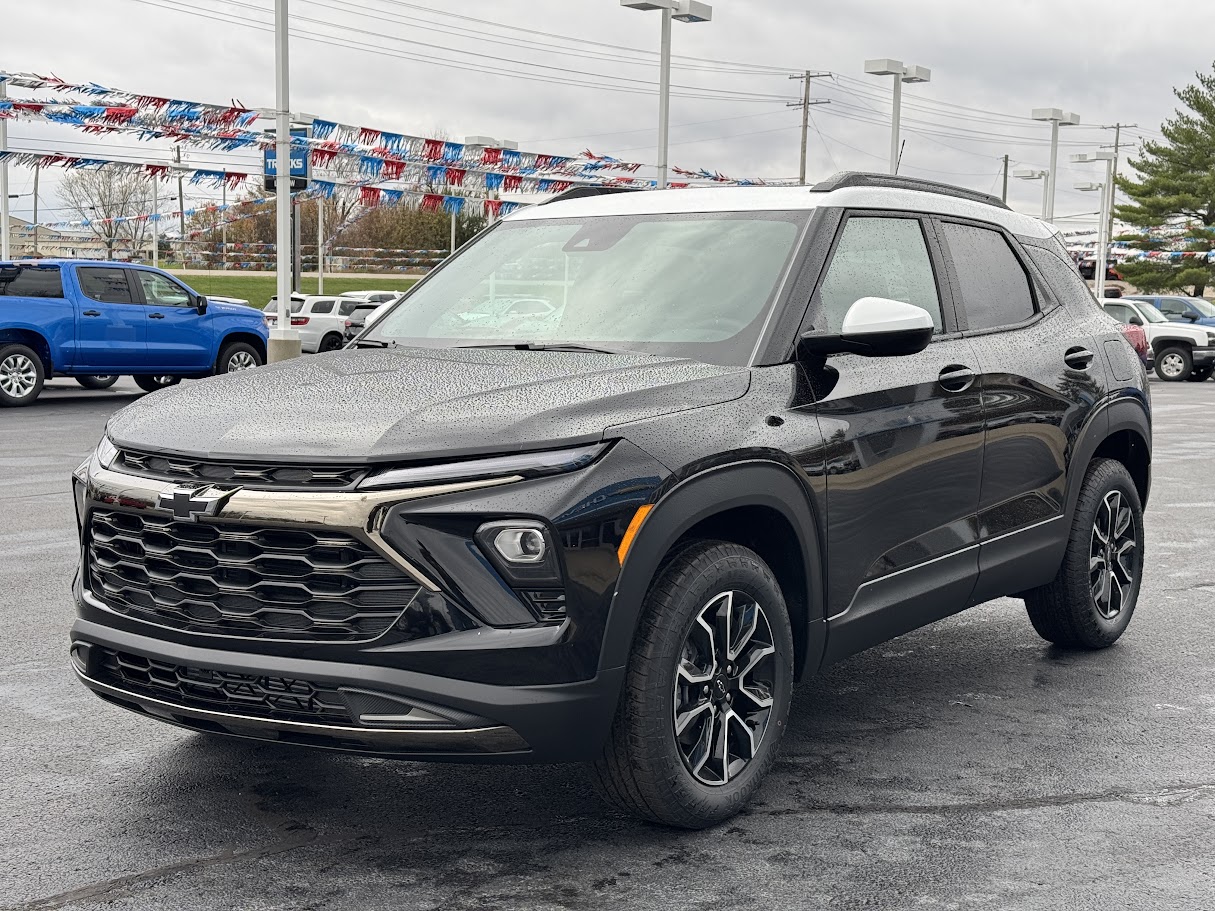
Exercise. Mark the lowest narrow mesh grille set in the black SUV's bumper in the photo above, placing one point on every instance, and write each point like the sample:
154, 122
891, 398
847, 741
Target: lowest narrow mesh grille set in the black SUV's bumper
275, 698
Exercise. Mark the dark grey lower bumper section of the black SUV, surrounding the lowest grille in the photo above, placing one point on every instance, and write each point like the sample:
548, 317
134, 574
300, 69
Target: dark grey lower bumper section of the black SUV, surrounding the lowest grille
549, 725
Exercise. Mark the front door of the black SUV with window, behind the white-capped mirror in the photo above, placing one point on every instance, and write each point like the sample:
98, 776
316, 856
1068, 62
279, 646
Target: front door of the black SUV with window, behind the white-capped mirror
905, 444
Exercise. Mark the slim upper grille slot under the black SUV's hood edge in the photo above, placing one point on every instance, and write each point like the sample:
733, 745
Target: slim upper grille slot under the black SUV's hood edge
253, 476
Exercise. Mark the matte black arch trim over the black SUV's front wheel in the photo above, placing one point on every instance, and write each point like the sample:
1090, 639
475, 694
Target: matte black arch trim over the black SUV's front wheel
767, 484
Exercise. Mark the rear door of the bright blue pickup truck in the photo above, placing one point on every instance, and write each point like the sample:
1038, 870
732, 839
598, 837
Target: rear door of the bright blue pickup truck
111, 331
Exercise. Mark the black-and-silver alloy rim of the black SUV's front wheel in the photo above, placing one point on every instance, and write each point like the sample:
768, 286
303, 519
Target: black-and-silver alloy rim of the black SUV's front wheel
725, 688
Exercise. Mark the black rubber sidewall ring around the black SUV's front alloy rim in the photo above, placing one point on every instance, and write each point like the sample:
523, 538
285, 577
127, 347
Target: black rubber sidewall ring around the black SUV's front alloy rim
756, 582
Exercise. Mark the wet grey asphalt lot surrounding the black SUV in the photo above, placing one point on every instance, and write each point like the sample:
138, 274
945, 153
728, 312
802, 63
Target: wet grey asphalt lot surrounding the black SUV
965, 766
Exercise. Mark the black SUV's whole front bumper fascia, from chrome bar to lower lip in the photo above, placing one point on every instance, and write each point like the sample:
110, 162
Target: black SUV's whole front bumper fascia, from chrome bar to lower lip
518, 689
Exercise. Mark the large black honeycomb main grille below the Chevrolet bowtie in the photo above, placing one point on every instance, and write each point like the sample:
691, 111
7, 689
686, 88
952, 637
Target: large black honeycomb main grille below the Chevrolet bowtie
228, 579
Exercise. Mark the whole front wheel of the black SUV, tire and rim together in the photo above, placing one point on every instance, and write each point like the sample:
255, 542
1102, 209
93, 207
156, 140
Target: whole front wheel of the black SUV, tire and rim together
648, 767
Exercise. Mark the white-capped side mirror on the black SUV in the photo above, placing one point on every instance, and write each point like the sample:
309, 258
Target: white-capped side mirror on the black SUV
874, 327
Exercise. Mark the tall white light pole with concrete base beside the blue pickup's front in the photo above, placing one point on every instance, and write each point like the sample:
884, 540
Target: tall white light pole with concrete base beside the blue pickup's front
285, 342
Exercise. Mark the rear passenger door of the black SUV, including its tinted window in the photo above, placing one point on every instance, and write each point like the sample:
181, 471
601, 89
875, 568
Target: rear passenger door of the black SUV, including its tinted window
1042, 378
